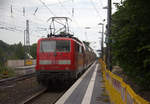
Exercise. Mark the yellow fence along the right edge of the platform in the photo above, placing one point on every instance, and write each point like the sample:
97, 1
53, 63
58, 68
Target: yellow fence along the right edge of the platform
119, 92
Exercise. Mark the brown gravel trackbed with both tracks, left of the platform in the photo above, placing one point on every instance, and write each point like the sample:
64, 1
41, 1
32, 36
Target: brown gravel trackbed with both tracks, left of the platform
26, 90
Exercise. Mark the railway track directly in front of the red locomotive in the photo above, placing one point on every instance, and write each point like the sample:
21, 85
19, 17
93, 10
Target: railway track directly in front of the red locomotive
48, 95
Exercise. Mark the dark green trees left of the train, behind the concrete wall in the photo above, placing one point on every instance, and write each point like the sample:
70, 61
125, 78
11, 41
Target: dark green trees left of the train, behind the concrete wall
15, 51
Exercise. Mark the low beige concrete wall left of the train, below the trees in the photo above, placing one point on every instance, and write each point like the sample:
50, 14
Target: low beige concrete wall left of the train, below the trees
17, 63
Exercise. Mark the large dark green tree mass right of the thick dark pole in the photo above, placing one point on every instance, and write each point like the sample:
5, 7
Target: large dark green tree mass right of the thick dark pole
130, 40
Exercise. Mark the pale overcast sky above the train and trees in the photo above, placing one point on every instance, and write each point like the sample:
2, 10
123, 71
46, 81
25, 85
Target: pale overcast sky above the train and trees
87, 13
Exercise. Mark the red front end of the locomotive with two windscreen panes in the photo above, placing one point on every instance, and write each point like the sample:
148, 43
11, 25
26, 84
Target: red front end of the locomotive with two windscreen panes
54, 59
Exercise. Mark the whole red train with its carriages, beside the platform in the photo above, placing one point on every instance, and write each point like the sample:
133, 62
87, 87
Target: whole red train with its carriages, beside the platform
62, 57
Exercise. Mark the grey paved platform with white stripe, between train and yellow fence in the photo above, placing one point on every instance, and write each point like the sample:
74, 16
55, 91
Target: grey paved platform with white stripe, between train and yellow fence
87, 89
